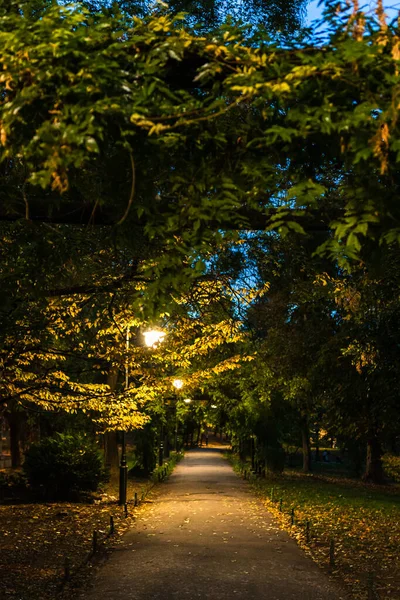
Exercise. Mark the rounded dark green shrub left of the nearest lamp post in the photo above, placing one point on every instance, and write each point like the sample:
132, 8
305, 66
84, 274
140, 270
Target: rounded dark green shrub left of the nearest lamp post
63, 465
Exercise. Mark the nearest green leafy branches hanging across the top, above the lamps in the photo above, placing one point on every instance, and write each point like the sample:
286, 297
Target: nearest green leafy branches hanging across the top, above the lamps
302, 124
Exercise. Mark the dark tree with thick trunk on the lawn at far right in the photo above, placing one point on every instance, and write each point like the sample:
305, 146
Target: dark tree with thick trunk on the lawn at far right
362, 373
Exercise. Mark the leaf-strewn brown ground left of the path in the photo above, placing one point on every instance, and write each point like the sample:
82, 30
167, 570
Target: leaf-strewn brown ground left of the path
38, 538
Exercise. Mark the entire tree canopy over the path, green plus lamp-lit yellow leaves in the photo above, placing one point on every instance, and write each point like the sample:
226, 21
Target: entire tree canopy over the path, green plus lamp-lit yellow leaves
240, 186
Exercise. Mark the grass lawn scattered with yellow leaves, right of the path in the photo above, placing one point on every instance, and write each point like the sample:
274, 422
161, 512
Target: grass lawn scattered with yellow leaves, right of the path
363, 520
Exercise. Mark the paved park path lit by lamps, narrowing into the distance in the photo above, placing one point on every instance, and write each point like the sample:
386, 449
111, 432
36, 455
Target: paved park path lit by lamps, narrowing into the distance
204, 535
